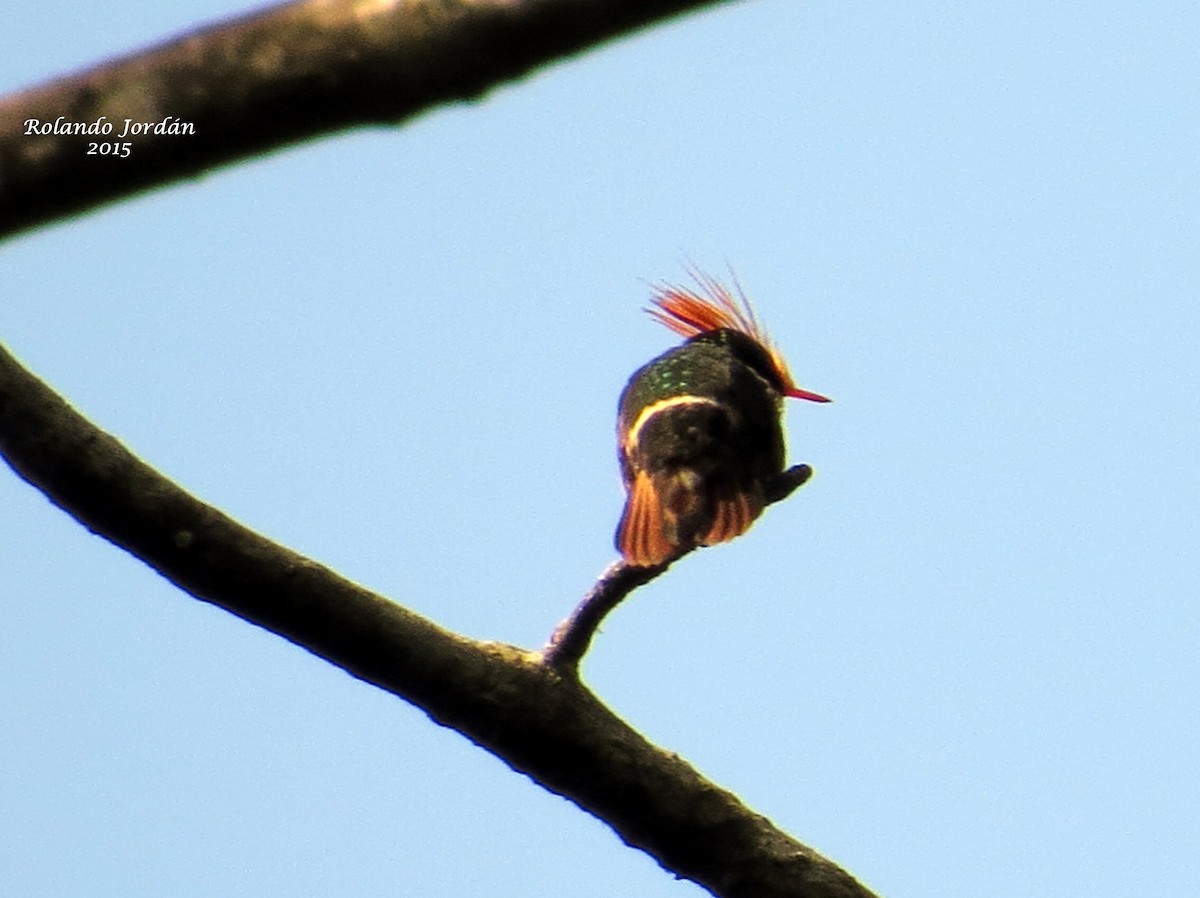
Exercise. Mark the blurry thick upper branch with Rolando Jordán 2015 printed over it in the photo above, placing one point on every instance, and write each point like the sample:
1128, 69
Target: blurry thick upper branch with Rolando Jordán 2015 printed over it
278, 77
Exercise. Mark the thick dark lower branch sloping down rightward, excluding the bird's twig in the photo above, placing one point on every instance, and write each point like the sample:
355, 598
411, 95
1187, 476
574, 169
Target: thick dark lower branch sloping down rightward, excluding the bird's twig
505, 699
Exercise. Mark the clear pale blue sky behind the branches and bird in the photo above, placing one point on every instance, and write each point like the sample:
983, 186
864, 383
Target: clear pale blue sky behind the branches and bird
962, 661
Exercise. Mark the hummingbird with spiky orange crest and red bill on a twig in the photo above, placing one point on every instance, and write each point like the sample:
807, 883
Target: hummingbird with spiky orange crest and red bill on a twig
699, 428
